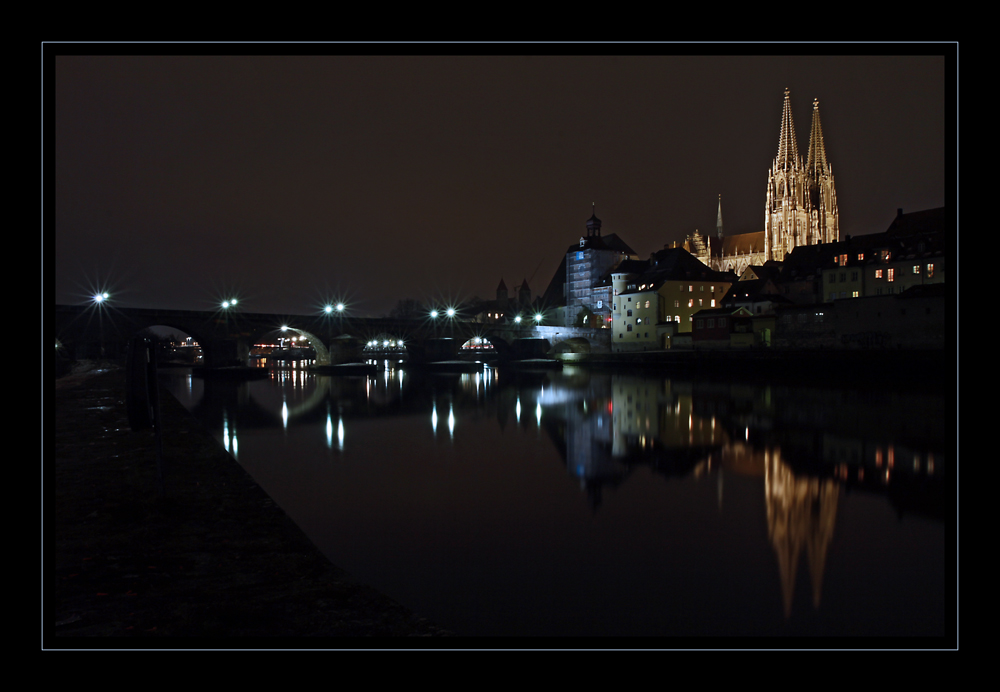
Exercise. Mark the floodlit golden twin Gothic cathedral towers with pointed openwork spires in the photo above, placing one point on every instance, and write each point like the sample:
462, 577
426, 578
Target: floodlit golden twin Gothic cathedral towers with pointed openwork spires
801, 207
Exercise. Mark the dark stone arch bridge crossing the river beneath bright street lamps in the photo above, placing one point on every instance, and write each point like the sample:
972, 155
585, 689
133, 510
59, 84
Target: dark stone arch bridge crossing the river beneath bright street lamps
226, 337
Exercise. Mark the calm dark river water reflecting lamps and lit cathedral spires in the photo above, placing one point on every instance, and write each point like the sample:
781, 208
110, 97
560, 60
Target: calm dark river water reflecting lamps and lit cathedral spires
600, 503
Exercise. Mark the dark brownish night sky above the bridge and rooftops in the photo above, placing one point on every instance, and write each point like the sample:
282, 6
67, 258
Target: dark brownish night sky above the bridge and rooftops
291, 180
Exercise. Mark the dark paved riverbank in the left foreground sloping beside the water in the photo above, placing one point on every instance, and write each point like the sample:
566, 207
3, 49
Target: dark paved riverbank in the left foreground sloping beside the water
203, 559
